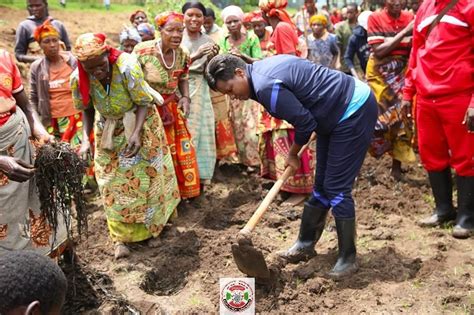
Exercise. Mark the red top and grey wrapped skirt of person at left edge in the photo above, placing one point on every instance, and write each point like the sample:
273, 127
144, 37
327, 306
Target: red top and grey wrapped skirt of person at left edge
22, 225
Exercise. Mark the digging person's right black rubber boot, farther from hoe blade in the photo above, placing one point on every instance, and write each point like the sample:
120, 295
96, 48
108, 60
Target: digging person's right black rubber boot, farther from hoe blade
346, 263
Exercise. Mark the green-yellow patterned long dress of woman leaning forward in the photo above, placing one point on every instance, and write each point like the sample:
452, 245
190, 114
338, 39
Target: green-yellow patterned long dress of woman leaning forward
139, 193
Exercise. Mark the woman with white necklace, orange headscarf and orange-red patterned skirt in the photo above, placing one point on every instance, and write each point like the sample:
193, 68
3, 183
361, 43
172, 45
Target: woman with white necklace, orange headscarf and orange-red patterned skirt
166, 69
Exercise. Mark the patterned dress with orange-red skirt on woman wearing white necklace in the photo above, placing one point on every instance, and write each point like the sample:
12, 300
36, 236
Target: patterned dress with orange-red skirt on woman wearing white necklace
179, 139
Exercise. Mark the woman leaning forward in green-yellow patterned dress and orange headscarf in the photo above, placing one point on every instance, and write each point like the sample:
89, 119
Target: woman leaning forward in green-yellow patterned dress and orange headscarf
133, 164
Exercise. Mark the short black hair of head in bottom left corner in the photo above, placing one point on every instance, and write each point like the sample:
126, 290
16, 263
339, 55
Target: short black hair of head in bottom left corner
27, 276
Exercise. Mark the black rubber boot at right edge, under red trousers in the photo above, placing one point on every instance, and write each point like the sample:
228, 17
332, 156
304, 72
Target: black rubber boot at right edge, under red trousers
464, 227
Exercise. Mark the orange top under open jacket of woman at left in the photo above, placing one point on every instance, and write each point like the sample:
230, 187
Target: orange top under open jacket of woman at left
60, 95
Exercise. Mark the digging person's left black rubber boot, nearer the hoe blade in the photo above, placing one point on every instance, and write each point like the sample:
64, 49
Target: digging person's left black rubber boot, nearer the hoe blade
311, 228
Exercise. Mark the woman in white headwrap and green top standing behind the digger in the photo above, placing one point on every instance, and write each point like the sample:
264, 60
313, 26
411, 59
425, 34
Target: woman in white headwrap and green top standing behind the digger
244, 114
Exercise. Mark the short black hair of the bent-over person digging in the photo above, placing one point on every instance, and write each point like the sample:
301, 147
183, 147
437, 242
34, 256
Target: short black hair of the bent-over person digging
222, 67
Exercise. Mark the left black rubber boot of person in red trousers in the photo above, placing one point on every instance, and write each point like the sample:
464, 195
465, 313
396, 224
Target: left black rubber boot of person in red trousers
442, 187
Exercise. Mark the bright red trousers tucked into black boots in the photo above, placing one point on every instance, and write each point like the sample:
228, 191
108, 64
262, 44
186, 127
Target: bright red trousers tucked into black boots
442, 138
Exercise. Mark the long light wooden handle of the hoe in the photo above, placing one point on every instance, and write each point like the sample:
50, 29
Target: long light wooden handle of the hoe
262, 208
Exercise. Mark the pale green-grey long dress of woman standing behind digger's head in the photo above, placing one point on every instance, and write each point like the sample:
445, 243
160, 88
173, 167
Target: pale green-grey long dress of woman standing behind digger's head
201, 121
